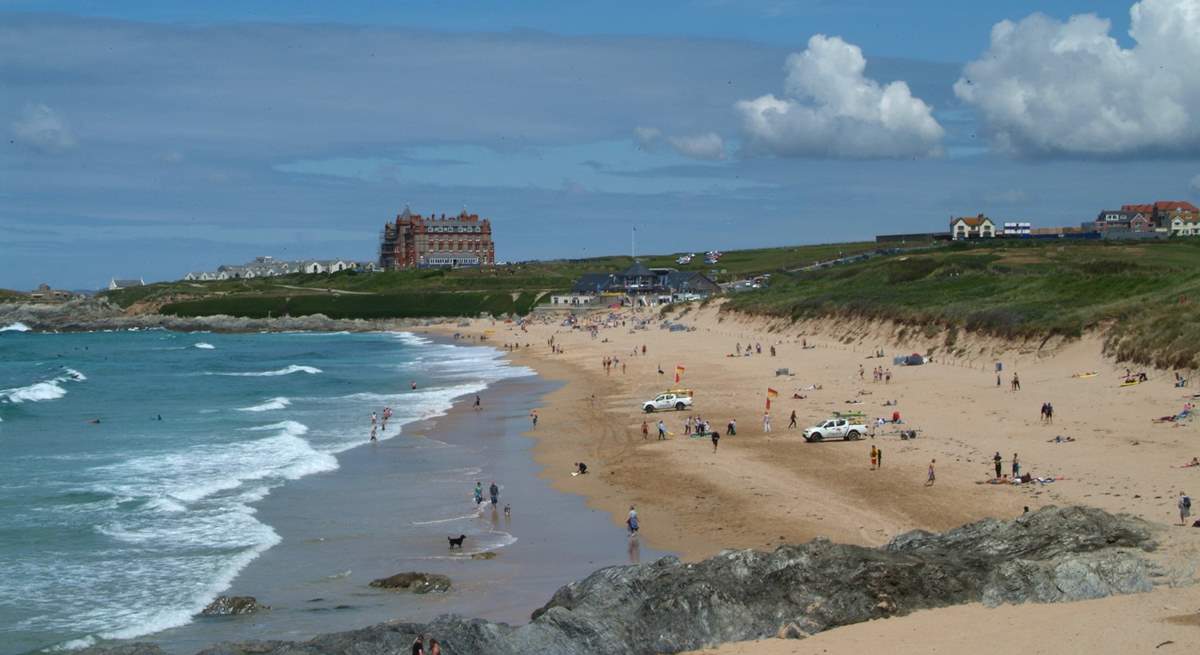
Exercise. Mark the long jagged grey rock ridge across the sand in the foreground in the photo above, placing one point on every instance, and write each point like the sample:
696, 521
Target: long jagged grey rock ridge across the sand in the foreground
669, 606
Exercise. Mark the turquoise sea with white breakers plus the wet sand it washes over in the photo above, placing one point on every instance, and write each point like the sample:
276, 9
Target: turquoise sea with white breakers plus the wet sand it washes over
143, 472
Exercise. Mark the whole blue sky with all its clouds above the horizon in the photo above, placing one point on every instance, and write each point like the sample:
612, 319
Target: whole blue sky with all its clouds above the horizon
149, 139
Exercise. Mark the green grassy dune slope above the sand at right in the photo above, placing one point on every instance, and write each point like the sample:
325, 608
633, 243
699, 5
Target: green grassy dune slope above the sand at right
1142, 297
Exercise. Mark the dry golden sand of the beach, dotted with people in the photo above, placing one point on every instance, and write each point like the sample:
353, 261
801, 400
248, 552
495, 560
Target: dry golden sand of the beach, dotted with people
765, 489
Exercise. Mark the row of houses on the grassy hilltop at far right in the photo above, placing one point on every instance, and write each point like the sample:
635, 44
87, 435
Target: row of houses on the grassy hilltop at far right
1159, 220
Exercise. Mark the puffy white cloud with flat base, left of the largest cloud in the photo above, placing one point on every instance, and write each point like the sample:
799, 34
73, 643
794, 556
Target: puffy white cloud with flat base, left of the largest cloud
831, 110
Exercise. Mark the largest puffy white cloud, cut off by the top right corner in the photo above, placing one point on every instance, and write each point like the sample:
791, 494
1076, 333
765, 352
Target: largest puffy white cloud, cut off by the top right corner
1048, 88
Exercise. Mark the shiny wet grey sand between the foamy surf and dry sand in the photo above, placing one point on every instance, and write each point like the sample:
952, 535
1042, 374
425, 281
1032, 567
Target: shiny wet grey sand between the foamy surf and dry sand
337, 536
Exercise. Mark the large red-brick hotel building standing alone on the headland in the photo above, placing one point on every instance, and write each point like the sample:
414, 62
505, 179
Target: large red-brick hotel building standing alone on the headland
418, 242
